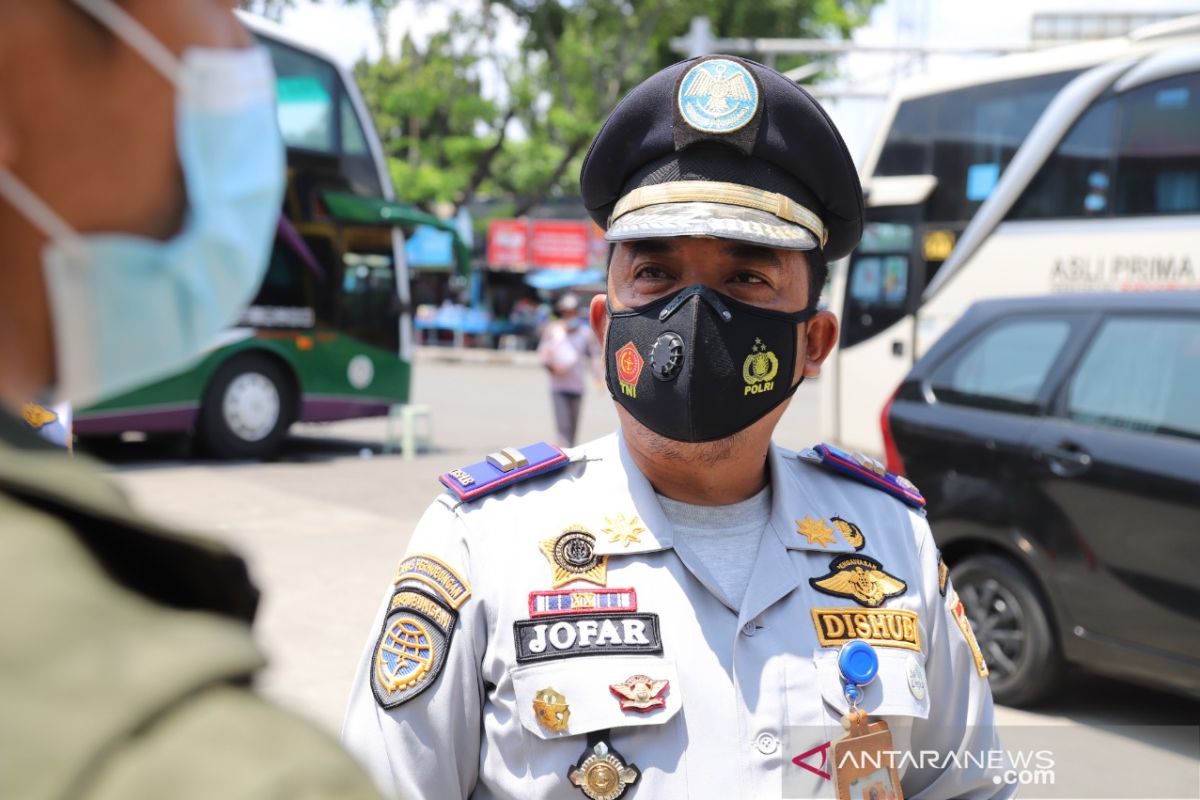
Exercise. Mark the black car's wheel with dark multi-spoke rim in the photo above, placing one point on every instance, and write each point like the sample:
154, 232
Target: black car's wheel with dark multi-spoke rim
1013, 628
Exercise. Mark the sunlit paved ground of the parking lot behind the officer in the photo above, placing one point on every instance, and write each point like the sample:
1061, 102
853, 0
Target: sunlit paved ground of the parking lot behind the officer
325, 527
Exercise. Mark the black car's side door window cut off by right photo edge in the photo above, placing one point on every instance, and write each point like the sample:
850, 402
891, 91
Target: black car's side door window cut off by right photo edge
1141, 375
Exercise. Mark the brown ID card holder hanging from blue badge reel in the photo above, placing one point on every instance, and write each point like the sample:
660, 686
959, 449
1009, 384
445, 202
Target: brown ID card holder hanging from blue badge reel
865, 766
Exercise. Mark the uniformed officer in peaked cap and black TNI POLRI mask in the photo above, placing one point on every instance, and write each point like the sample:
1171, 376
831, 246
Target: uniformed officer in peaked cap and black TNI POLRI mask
686, 610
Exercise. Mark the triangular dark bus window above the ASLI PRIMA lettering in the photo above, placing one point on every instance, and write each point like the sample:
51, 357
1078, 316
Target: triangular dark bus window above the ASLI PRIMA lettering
1076, 181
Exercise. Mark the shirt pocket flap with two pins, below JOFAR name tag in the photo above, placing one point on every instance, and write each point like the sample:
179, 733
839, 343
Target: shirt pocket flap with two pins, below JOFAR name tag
584, 685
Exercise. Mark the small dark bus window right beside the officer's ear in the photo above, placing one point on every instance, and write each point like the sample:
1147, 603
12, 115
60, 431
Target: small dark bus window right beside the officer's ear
879, 281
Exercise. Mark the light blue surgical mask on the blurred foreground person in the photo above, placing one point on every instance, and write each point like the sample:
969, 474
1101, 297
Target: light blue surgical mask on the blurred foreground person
128, 310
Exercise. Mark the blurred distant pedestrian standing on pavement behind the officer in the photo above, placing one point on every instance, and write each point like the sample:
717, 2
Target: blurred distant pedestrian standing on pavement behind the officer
571, 353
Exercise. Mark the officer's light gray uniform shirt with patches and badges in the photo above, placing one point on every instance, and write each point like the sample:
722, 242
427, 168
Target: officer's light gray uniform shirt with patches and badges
748, 691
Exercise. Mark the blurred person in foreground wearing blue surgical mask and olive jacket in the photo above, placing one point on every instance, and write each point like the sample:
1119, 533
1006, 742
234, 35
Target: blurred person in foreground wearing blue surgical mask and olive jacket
141, 178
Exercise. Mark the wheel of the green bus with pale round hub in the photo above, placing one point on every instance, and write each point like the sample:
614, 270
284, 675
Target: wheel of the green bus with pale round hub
248, 408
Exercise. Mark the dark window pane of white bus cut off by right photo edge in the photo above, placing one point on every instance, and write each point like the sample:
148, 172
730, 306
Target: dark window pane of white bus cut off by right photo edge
1159, 148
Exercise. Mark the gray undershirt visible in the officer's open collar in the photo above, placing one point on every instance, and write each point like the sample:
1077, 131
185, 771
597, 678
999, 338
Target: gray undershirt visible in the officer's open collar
725, 539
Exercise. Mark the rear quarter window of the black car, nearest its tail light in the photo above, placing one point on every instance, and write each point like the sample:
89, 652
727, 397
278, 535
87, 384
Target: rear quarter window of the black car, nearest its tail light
1005, 368
